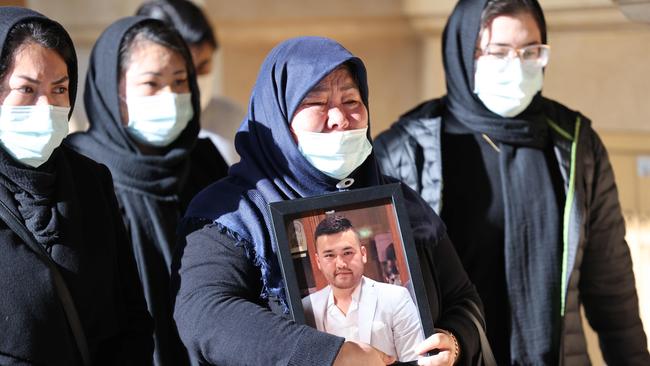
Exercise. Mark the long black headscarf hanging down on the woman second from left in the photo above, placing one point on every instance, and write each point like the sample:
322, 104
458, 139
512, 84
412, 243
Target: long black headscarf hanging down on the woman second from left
148, 187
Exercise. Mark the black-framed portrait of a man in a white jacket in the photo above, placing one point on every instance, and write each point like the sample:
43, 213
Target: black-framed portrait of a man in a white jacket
350, 267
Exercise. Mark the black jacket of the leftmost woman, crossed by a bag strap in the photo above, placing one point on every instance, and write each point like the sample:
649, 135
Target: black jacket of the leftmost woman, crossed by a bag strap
101, 276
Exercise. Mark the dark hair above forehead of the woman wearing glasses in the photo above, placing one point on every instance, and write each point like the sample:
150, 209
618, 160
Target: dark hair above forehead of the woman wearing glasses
495, 8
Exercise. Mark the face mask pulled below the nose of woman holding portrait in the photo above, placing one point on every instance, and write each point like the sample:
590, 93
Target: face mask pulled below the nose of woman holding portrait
336, 154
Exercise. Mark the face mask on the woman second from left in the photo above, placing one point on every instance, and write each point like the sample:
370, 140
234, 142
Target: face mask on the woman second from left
158, 120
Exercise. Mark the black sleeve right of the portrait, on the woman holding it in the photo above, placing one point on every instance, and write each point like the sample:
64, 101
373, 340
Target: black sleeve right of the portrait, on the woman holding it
455, 289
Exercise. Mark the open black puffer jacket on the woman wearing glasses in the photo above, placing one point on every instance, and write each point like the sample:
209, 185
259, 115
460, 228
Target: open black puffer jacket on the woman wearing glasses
598, 271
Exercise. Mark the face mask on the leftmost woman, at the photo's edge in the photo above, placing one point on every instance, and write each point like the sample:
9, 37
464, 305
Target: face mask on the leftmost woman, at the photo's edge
31, 133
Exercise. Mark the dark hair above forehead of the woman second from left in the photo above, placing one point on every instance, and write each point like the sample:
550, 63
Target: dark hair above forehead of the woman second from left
154, 31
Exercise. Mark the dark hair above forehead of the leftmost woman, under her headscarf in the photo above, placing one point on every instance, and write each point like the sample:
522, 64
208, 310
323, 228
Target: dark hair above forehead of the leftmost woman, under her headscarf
46, 33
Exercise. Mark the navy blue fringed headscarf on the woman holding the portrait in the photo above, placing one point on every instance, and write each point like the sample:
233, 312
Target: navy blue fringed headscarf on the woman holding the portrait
273, 169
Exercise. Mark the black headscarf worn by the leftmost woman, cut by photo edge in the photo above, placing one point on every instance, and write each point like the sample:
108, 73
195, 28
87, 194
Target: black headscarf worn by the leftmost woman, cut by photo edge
42, 195
